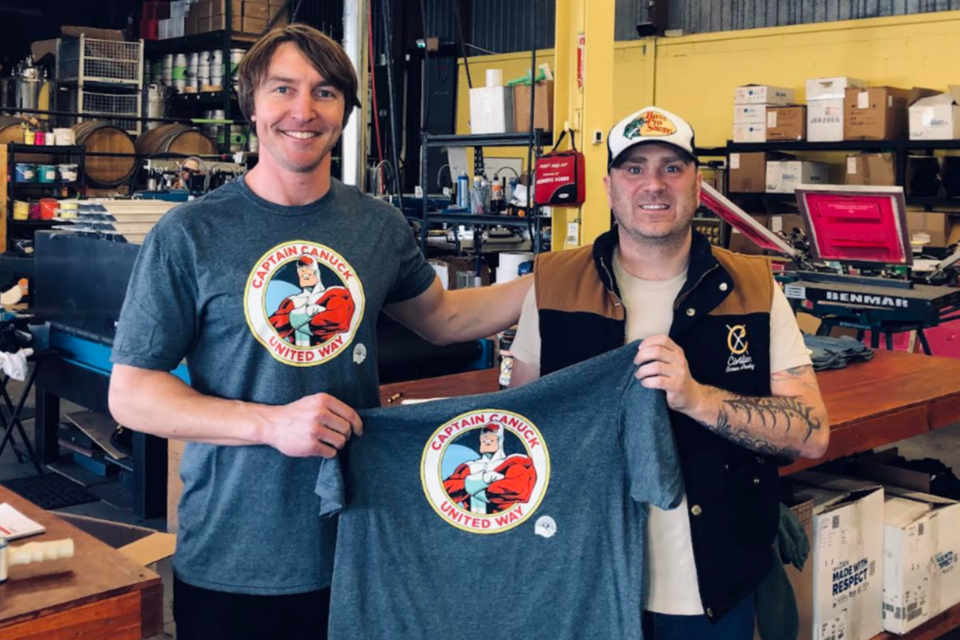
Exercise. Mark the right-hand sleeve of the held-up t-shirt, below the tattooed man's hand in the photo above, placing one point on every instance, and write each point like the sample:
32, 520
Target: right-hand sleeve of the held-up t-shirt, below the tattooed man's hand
653, 465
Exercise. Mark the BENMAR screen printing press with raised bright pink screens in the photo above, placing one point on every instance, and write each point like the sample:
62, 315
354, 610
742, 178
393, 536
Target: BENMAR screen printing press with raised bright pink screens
856, 270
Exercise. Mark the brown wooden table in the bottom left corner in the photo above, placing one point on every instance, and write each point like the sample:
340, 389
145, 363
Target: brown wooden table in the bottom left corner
97, 594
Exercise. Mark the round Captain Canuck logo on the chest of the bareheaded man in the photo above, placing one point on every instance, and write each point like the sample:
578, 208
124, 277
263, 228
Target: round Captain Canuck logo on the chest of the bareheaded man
304, 303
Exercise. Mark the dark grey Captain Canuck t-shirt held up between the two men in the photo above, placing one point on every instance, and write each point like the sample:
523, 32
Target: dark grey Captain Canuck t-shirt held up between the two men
518, 514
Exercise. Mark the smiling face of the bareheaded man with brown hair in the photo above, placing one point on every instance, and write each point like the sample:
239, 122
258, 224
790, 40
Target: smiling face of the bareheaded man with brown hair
298, 113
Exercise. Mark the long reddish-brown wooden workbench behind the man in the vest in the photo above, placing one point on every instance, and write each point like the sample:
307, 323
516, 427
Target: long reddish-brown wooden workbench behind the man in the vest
893, 397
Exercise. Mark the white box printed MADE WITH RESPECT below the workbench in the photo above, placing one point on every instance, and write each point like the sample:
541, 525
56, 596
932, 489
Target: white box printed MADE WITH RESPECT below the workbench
847, 558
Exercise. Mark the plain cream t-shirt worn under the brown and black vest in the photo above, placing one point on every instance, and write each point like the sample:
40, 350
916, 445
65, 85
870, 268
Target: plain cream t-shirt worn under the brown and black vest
672, 585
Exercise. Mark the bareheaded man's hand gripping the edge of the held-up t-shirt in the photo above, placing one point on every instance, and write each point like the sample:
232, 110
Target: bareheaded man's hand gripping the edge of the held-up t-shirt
318, 425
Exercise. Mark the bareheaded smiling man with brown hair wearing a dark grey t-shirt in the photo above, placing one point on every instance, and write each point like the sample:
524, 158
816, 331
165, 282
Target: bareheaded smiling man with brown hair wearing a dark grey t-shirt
270, 288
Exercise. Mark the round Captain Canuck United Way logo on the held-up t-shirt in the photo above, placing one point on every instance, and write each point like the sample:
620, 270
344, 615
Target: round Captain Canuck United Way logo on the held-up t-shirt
485, 471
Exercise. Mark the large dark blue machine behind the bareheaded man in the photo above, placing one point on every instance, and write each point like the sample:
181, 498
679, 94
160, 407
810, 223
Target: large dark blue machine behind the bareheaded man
82, 270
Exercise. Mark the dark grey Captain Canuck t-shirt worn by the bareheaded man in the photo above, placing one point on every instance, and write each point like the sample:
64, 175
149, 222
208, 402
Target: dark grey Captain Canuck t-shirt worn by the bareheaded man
268, 304
